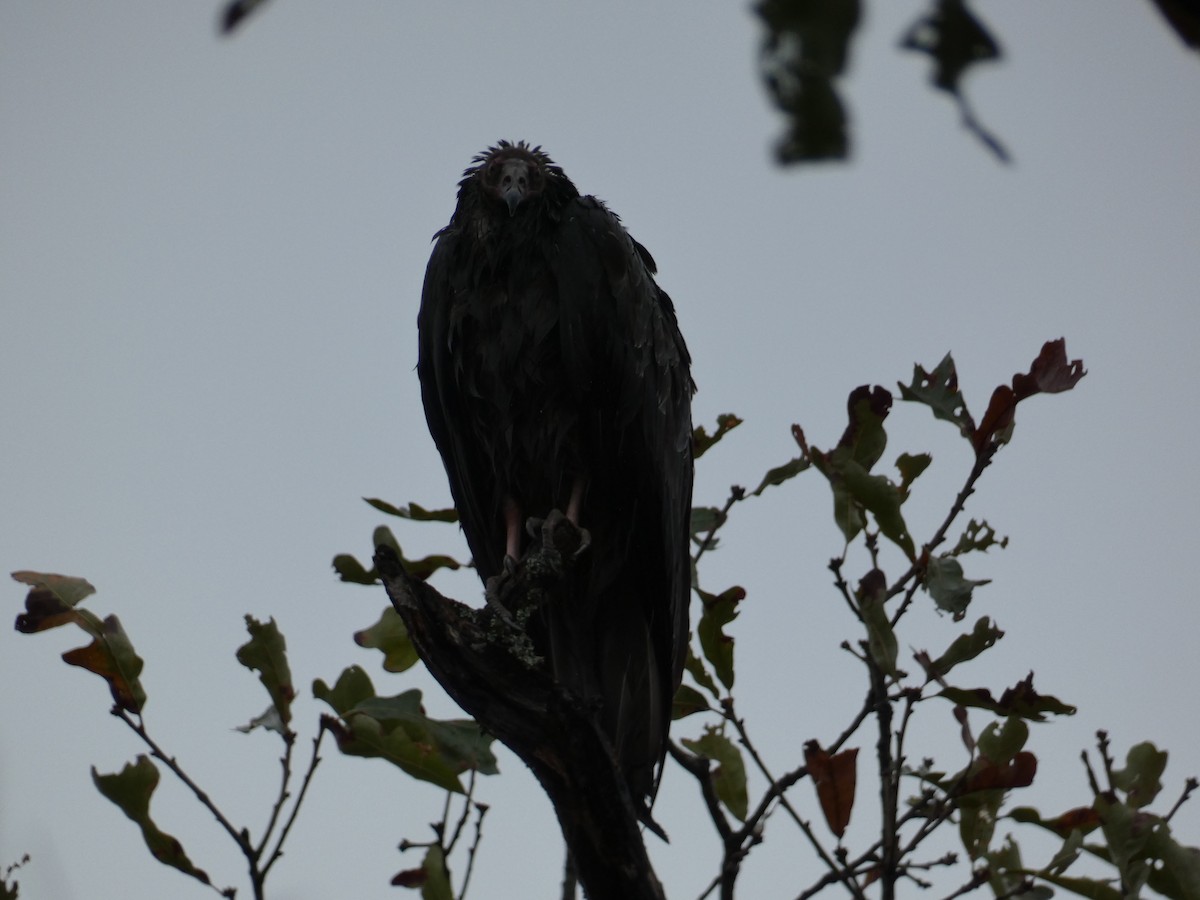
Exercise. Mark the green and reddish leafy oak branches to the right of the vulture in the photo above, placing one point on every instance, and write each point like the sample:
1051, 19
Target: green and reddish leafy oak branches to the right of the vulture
915, 799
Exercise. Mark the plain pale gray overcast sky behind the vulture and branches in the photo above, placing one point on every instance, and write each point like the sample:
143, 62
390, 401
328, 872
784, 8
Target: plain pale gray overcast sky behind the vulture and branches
211, 261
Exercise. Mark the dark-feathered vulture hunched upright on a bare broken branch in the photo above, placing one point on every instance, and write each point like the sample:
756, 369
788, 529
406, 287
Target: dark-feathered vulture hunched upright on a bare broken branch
555, 377
